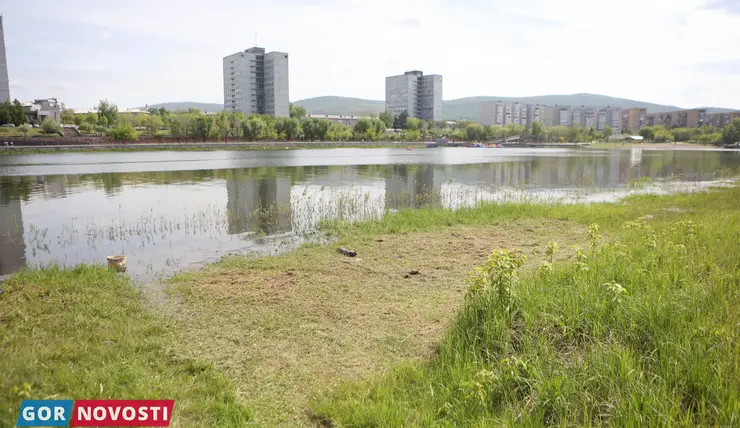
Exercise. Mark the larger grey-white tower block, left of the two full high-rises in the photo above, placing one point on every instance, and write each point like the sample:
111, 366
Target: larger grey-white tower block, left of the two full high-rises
256, 82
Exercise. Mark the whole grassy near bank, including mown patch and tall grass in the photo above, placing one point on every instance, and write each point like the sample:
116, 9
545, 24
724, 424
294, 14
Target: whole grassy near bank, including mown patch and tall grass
285, 334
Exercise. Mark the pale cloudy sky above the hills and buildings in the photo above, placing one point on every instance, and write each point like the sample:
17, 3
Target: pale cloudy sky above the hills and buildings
137, 52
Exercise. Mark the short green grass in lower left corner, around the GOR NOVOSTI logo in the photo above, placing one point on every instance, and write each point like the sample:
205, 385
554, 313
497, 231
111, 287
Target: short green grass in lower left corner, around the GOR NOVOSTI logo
84, 333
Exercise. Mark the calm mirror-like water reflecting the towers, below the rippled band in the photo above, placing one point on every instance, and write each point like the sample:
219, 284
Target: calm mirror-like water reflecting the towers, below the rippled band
165, 220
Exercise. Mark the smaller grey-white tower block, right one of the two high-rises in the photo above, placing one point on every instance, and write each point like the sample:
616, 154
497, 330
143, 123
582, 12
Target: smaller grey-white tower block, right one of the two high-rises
420, 96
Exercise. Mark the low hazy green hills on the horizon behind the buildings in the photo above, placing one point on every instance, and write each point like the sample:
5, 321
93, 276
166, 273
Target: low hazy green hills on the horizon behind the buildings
462, 108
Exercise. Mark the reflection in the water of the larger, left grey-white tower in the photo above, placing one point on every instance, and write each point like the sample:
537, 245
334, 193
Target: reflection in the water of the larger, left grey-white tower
258, 204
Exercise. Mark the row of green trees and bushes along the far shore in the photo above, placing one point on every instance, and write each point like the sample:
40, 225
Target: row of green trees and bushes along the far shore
227, 126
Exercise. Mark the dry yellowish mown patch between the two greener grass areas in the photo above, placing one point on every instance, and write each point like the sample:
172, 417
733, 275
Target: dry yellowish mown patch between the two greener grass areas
284, 328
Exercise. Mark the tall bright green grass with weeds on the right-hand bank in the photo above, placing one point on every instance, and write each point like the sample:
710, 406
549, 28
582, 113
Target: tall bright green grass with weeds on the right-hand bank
641, 331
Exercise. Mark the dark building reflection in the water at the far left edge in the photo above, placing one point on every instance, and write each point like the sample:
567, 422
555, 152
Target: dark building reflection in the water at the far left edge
12, 245
